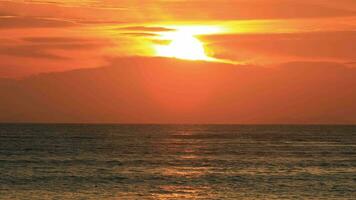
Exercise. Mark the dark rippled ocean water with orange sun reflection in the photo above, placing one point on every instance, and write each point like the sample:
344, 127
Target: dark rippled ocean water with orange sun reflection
177, 162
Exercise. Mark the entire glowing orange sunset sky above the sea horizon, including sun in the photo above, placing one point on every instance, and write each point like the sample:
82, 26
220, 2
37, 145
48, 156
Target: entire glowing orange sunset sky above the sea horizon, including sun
177, 61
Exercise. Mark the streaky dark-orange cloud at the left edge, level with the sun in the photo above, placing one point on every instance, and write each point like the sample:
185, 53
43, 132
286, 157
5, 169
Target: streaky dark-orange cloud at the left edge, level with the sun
31, 55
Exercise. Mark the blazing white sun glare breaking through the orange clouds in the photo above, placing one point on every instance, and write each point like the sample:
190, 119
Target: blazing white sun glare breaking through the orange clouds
183, 44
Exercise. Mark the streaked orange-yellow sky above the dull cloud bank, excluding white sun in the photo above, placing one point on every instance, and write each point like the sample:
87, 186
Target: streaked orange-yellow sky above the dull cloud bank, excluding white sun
260, 31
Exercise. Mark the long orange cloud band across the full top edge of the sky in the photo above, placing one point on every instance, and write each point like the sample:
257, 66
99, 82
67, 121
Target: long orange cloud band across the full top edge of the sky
202, 10
